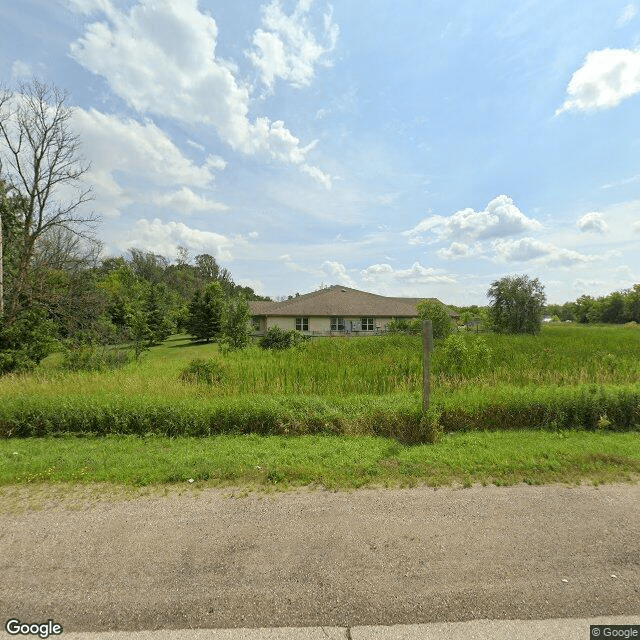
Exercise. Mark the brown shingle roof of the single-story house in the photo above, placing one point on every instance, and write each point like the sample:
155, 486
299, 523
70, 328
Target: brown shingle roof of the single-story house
340, 301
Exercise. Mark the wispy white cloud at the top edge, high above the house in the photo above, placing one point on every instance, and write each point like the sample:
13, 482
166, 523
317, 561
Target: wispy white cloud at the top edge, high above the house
286, 46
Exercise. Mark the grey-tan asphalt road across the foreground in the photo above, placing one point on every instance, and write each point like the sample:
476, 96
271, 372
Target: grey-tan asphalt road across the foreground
321, 559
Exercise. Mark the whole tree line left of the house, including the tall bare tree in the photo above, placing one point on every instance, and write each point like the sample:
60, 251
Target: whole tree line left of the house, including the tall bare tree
54, 286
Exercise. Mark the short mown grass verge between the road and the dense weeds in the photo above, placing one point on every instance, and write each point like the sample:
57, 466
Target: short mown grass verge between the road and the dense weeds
333, 462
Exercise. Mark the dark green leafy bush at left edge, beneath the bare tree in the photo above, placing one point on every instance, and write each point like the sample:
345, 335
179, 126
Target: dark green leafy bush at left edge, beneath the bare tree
25, 342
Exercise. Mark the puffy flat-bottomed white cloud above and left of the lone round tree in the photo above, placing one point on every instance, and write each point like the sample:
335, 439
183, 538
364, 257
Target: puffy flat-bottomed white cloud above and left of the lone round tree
501, 218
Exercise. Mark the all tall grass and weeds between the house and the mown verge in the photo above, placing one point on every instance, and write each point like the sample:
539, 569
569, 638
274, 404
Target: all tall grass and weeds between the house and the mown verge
566, 377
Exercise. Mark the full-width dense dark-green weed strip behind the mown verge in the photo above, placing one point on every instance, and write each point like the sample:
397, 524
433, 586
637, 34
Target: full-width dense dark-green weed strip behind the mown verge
397, 416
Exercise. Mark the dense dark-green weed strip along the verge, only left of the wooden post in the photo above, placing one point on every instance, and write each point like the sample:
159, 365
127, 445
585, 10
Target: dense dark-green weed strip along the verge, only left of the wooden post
283, 415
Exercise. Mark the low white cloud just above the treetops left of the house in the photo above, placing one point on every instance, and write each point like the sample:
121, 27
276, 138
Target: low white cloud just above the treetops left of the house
165, 238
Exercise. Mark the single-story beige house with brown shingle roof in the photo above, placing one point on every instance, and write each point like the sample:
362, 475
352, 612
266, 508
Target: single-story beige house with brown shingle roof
335, 310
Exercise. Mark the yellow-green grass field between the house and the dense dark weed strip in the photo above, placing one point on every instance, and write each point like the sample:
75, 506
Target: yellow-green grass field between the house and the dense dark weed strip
559, 356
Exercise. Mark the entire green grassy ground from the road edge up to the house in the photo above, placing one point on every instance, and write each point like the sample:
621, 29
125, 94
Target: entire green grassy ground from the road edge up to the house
563, 406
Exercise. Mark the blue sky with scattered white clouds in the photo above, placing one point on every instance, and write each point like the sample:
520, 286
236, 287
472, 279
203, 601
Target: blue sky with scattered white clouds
418, 148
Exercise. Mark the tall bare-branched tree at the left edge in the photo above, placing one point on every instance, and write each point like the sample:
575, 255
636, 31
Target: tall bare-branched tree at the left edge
40, 159
